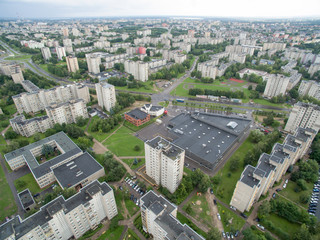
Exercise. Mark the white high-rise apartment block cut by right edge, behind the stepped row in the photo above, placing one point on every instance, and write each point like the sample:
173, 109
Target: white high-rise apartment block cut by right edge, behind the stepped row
303, 115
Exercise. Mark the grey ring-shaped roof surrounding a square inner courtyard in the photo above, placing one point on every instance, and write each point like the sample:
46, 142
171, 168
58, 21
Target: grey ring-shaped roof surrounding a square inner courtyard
68, 146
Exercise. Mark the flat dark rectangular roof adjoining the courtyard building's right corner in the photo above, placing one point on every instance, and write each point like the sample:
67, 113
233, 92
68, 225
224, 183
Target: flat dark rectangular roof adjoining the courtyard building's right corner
75, 171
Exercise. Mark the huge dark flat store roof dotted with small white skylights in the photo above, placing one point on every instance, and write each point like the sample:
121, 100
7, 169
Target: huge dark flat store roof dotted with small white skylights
206, 135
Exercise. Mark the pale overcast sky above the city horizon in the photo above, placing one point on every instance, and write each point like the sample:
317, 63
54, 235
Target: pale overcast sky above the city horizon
113, 8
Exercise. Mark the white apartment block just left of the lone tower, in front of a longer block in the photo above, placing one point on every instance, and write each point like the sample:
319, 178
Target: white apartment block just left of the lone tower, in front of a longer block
67, 112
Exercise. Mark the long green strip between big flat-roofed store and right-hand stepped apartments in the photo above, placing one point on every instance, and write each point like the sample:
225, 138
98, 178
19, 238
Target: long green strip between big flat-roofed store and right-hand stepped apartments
224, 190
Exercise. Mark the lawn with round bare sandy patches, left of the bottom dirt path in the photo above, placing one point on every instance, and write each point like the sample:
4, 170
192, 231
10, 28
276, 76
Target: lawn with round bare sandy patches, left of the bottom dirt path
200, 209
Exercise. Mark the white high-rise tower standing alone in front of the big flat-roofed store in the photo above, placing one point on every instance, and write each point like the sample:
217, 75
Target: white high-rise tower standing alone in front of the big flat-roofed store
164, 163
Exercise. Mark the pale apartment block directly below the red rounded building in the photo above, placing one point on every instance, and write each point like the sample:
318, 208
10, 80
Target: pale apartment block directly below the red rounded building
139, 69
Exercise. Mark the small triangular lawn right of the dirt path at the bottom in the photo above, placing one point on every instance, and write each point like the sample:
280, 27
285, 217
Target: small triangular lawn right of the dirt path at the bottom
230, 220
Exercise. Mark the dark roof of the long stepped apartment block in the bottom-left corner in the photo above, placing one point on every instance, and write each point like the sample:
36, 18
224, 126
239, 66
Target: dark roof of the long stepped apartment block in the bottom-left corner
21, 227
